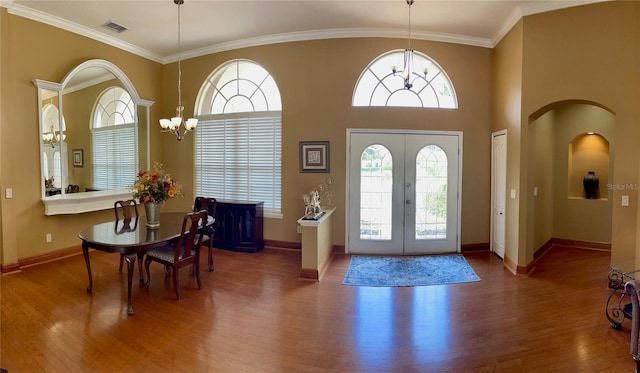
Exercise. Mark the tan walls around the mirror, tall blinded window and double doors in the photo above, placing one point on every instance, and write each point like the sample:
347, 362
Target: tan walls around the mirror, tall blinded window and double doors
316, 81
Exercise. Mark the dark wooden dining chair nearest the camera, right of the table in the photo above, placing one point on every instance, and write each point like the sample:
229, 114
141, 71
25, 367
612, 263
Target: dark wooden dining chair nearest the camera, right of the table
182, 253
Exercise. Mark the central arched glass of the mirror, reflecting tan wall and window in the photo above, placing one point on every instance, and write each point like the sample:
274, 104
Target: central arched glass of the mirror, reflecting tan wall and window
100, 131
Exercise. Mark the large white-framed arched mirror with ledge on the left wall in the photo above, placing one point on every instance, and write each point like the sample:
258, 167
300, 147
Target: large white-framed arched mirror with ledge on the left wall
93, 137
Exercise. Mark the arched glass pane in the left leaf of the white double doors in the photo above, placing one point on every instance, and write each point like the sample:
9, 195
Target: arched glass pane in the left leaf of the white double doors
376, 186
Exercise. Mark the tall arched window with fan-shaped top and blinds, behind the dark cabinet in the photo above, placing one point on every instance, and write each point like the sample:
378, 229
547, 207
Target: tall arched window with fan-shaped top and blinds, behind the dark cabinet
239, 138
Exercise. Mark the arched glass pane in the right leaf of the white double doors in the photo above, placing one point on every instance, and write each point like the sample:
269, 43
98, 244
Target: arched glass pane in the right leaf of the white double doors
431, 193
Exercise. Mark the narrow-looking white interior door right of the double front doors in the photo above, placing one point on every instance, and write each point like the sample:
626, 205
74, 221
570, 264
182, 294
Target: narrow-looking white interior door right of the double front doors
498, 191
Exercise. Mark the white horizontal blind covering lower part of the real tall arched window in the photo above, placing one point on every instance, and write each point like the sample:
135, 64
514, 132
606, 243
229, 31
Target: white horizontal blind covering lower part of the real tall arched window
239, 158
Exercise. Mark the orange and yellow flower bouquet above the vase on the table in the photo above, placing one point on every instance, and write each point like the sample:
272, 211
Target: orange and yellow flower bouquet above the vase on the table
155, 187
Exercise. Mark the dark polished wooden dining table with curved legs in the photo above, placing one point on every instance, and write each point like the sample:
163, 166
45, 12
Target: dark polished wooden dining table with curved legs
131, 238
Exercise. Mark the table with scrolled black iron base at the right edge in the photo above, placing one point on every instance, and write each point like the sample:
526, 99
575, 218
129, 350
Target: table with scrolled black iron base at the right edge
618, 308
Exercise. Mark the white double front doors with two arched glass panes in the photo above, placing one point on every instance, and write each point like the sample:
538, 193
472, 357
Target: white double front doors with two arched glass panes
403, 192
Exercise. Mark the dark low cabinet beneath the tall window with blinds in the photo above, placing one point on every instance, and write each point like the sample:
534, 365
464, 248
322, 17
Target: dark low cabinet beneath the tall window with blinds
239, 226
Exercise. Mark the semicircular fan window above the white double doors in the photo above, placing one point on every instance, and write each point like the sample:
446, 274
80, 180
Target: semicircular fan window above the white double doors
378, 85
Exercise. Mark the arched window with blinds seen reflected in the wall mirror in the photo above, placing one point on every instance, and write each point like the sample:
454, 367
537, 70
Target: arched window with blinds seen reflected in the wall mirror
114, 156
